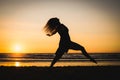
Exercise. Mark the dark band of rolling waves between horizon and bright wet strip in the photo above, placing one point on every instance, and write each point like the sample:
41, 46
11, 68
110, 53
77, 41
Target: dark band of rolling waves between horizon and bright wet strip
40, 57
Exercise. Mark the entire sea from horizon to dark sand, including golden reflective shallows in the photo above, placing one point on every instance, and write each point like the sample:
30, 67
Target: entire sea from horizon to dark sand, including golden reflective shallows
69, 59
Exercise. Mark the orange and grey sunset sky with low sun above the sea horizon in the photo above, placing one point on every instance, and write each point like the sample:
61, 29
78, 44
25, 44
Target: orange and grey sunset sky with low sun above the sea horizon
95, 24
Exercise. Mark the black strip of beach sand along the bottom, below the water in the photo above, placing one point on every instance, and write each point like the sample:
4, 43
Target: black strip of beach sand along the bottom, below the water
60, 73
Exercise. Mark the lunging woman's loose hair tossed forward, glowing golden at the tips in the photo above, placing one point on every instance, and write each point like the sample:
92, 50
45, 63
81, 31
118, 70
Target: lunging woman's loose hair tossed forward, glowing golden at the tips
51, 25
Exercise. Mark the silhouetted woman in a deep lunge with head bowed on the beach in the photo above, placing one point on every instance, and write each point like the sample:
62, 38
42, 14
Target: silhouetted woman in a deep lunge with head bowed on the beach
53, 26
